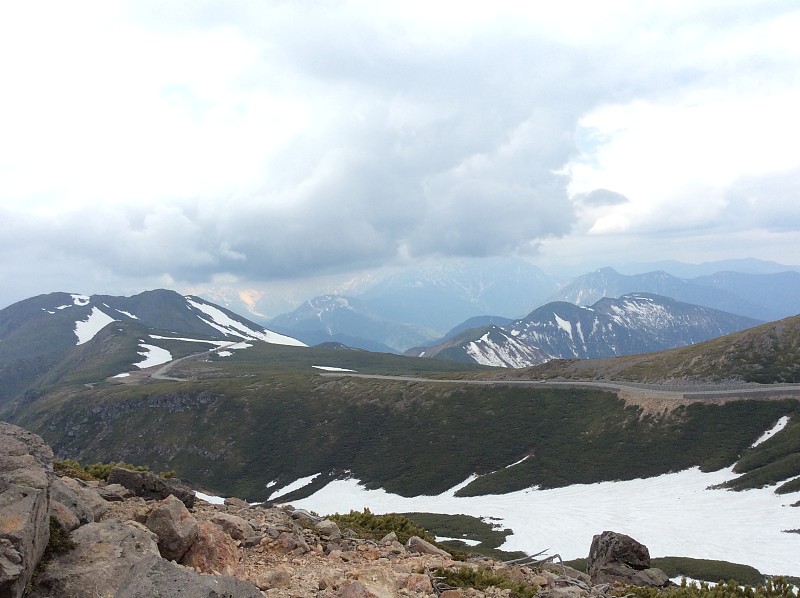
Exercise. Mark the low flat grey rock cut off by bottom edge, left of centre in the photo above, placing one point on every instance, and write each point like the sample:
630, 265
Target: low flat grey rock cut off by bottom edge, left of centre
156, 578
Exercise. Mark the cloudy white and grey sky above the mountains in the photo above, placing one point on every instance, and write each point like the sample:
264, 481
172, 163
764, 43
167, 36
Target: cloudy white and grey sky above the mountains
273, 147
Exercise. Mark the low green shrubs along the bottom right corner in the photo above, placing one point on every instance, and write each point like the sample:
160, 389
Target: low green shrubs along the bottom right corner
774, 588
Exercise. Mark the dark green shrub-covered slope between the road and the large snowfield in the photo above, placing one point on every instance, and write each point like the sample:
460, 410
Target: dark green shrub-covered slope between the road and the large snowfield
266, 415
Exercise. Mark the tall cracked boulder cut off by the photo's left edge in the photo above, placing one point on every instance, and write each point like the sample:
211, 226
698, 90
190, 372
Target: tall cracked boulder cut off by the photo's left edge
26, 471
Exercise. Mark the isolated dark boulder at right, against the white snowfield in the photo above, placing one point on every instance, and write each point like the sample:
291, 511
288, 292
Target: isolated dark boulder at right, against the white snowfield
615, 557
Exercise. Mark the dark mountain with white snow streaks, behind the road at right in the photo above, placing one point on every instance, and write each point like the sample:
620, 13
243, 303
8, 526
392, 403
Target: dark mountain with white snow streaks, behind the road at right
634, 323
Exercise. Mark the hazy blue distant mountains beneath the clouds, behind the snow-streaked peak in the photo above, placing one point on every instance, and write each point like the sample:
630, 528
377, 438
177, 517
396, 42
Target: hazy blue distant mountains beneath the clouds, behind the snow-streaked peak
417, 305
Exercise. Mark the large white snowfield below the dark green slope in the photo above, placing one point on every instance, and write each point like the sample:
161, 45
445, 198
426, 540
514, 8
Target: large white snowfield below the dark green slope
673, 515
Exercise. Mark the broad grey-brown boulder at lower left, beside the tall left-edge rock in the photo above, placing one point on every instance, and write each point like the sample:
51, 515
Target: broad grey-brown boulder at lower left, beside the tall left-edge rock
102, 557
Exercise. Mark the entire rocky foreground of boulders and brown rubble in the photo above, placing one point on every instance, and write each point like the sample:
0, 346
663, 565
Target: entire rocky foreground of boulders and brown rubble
140, 536
